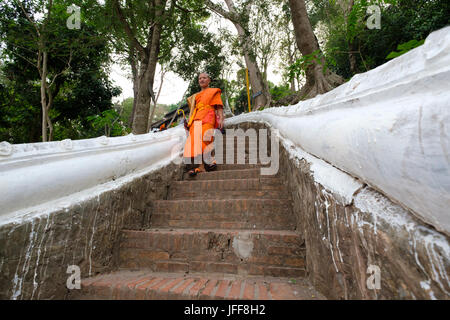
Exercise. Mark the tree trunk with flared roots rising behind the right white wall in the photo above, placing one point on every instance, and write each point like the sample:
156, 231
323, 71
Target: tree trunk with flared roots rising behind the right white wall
317, 81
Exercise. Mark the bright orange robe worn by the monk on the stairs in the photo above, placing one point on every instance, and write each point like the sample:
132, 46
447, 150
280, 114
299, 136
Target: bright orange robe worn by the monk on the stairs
202, 114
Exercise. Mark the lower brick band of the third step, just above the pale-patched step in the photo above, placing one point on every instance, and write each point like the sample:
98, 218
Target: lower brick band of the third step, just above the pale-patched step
223, 220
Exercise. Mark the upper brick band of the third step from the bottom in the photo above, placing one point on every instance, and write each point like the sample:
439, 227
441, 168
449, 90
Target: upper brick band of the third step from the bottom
235, 206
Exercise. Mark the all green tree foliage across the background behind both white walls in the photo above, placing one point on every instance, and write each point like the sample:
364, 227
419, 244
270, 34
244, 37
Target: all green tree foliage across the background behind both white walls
83, 94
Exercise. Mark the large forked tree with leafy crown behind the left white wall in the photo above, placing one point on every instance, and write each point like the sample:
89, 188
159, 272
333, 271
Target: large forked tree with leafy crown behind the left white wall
150, 33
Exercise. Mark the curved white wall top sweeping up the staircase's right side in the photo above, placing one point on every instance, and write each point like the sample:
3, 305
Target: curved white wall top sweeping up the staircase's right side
389, 127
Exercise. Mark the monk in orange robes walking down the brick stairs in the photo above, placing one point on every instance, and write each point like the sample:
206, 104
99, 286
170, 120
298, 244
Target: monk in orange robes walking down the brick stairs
206, 114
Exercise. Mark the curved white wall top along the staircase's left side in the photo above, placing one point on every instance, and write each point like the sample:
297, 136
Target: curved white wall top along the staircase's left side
37, 173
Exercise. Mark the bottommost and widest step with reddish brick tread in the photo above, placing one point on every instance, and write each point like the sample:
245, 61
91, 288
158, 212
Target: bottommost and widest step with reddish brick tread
147, 285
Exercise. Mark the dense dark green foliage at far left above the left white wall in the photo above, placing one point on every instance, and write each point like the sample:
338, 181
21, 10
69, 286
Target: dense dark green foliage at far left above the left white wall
83, 90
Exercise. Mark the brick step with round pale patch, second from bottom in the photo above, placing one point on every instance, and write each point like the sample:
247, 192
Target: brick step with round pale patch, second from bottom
254, 252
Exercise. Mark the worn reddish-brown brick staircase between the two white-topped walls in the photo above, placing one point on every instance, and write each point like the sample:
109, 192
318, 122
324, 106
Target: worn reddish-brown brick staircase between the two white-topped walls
226, 234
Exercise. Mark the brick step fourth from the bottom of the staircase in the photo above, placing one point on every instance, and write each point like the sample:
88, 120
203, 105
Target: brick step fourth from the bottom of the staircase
267, 188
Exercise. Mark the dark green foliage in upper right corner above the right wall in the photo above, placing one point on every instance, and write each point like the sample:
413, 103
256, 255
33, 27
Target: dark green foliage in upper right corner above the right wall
401, 21
